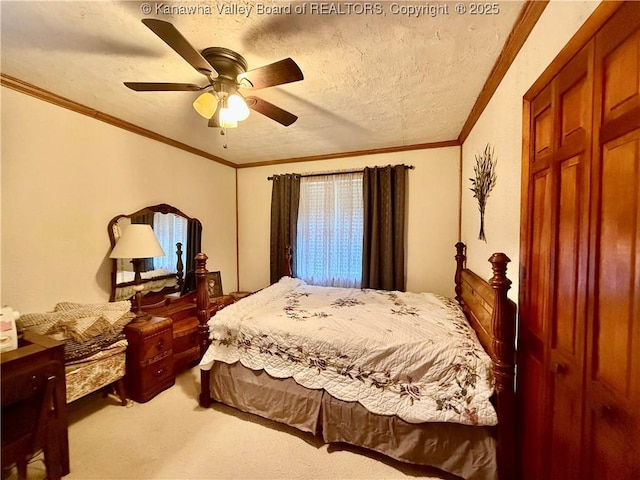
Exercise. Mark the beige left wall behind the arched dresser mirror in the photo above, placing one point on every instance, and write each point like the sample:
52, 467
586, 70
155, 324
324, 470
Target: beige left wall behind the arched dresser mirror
65, 175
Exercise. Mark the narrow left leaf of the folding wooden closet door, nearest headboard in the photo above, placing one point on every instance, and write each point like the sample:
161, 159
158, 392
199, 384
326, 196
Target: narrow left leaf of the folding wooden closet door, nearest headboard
534, 317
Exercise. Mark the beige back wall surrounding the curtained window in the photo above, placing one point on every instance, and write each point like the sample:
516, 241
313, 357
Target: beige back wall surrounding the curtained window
432, 215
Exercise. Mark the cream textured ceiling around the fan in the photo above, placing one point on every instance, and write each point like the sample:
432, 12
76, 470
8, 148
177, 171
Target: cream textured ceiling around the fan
371, 80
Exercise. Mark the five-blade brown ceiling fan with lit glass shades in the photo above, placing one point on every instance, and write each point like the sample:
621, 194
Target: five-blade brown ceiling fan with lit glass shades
227, 72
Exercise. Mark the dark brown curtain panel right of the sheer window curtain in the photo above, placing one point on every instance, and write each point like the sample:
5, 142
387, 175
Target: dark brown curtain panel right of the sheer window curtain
384, 191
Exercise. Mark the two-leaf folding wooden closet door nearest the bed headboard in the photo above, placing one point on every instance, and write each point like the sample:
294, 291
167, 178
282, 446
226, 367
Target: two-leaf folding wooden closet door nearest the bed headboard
553, 317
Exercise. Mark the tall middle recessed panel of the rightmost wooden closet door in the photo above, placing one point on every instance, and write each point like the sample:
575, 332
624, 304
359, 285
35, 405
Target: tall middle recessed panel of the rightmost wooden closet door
618, 244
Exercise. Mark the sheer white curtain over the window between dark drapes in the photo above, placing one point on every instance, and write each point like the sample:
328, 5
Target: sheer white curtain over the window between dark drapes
330, 230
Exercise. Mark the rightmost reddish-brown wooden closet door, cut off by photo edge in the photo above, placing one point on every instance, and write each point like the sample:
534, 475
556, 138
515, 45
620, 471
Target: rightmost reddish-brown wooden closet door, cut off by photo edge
613, 351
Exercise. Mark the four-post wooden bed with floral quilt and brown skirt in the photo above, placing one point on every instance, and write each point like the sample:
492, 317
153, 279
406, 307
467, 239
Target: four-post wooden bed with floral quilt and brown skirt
449, 406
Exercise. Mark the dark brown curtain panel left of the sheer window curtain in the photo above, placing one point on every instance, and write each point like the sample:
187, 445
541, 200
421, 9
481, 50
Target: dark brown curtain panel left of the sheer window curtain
285, 198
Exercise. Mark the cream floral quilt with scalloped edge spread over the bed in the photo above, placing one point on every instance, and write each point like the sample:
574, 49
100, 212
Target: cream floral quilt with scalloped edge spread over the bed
407, 354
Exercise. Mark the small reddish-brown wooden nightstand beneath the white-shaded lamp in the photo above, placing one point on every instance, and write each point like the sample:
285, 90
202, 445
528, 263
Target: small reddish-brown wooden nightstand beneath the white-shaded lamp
149, 358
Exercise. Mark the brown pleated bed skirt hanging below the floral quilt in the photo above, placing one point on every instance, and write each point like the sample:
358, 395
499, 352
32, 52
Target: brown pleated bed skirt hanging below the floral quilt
465, 451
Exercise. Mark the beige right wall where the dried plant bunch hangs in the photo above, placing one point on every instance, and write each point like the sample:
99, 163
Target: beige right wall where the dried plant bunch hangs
501, 126
